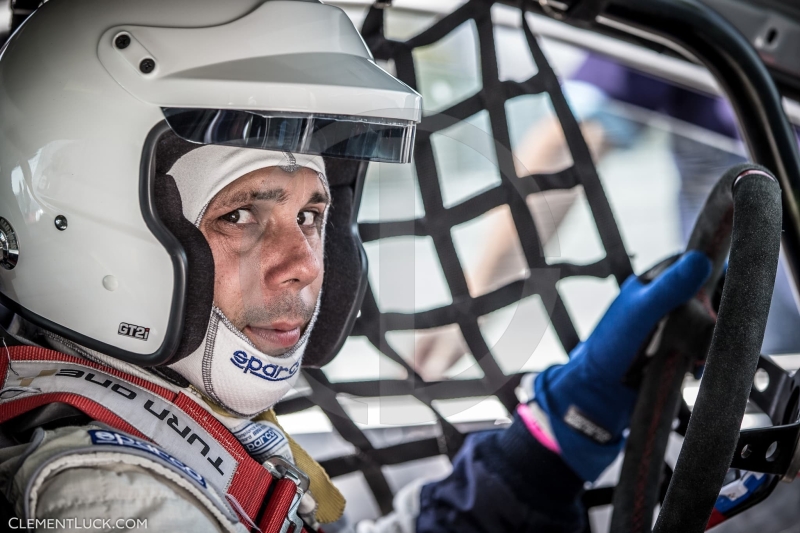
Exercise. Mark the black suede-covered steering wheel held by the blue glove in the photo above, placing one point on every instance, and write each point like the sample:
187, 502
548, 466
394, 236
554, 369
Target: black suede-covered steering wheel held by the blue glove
743, 215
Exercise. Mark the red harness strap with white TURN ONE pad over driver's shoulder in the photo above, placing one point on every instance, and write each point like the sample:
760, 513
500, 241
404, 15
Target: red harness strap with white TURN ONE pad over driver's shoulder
252, 486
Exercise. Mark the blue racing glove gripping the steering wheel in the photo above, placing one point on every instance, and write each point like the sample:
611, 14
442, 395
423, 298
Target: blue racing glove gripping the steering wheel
587, 404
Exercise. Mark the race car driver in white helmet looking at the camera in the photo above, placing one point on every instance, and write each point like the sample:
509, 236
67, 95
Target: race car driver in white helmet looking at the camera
168, 279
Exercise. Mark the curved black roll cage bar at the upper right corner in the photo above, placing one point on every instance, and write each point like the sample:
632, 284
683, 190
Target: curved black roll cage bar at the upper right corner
694, 30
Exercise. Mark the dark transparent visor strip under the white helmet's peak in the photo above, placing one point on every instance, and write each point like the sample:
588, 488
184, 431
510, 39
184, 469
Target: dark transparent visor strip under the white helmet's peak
348, 137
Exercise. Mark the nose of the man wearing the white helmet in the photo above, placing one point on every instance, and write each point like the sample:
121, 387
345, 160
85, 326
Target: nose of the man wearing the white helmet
289, 260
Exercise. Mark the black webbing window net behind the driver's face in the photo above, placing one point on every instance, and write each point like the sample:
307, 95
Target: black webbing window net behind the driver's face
368, 453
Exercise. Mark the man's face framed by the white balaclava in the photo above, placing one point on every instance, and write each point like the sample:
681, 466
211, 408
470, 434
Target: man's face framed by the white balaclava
265, 232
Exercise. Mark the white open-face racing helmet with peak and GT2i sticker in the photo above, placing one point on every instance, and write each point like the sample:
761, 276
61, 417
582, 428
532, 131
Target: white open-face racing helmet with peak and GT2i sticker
93, 243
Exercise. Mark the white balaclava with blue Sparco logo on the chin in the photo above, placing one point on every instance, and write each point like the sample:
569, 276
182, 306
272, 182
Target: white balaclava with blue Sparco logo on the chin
227, 366
